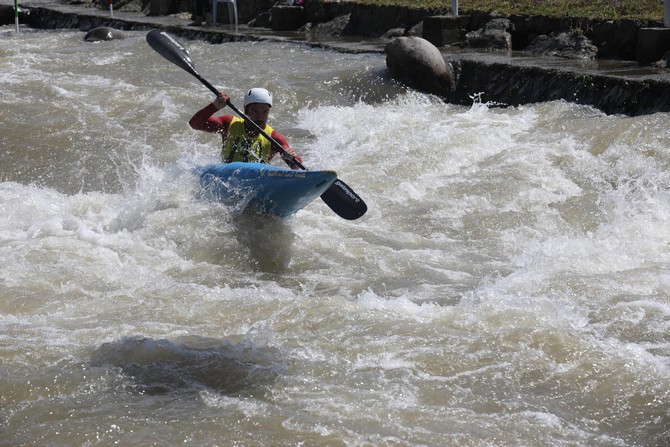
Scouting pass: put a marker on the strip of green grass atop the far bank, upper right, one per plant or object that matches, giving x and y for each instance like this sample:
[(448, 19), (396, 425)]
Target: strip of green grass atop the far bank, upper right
[(594, 9)]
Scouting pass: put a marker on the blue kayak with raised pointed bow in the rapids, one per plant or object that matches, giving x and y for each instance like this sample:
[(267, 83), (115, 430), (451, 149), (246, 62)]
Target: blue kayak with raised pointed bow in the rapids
[(263, 188)]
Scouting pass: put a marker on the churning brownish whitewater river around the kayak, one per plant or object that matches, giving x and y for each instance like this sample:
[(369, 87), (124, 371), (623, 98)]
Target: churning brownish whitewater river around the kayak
[(509, 285)]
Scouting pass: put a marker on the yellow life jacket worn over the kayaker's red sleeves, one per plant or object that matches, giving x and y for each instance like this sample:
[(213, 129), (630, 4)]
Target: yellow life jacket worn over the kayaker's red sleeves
[(239, 146)]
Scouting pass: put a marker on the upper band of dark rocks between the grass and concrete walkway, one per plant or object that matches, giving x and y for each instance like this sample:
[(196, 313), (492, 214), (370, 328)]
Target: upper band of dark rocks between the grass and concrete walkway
[(612, 39)]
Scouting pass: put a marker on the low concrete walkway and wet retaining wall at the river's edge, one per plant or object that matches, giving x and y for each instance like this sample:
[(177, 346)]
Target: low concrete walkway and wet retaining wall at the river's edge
[(506, 79)]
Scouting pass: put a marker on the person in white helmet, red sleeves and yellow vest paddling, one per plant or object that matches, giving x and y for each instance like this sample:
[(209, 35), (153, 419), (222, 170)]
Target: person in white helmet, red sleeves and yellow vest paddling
[(242, 141)]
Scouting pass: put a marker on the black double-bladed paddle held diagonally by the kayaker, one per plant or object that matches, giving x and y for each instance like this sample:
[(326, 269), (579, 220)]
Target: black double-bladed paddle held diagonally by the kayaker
[(339, 196)]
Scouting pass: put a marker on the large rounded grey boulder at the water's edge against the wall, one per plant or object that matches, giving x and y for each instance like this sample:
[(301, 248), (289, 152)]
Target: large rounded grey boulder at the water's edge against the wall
[(418, 63)]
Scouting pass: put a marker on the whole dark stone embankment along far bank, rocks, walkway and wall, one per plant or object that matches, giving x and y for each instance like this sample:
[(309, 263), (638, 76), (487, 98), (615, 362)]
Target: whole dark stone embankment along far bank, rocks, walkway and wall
[(615, 82)]
